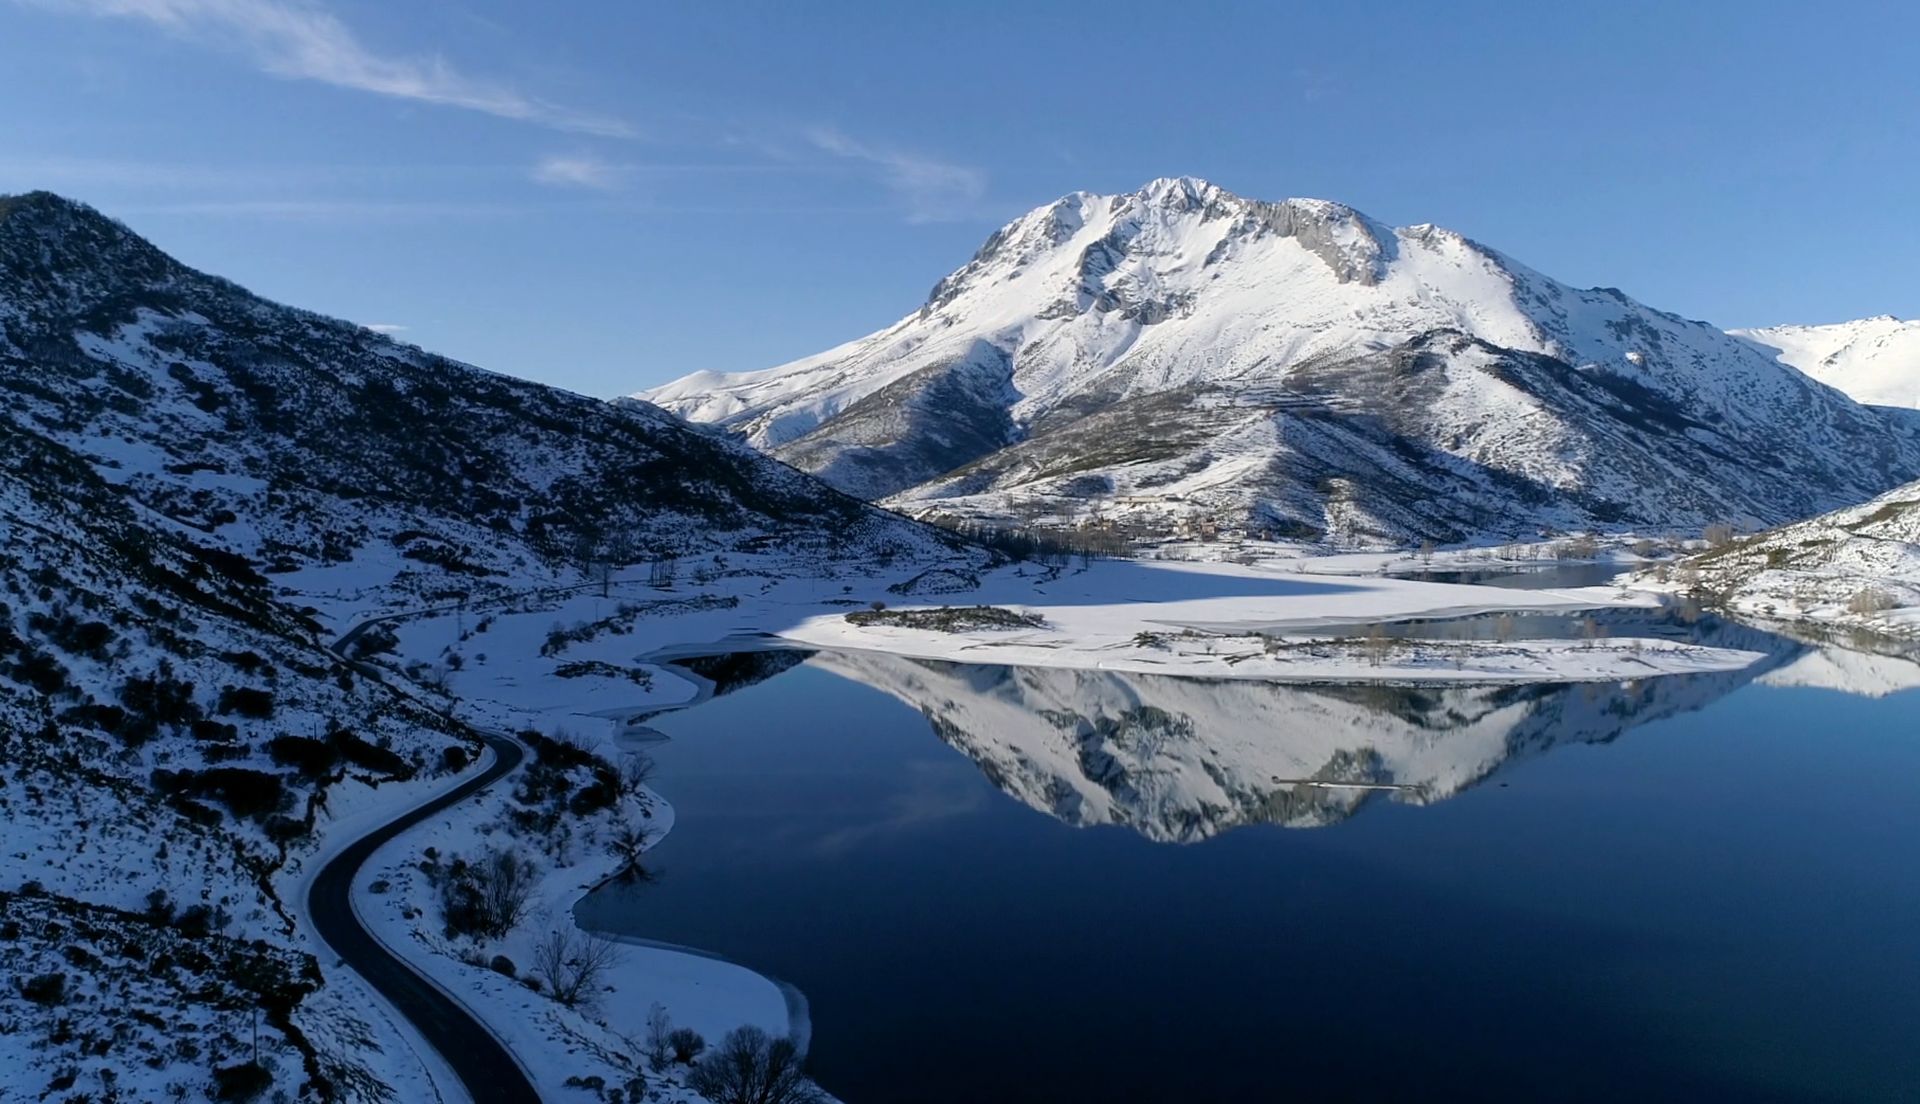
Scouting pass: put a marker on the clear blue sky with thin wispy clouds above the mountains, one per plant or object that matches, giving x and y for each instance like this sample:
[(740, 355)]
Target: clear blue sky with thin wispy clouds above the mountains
[(608, 195)]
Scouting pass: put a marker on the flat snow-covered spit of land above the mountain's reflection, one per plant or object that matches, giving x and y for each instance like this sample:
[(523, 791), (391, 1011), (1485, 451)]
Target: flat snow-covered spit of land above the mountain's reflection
[(1222, 621)]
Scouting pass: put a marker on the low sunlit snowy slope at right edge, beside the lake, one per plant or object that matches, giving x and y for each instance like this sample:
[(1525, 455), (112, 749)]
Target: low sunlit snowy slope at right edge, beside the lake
[(1858, 567)]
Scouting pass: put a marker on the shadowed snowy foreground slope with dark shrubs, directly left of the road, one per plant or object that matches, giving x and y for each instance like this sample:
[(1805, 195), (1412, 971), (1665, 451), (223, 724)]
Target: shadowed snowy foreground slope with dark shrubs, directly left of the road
[(168, 734)]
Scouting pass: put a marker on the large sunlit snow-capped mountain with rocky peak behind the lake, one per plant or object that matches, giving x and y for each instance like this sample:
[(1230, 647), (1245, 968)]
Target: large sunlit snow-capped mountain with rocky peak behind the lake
[(1301, 370)]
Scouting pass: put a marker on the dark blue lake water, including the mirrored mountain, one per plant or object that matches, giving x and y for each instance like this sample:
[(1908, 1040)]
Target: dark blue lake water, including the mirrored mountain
[(1679, 890)]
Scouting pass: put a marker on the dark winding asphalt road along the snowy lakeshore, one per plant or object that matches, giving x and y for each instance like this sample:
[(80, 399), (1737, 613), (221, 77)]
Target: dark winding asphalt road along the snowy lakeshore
[(483, 1065)]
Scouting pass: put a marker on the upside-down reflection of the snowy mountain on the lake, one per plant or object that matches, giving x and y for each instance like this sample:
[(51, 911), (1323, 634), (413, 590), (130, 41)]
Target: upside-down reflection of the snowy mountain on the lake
[(1182, 759)]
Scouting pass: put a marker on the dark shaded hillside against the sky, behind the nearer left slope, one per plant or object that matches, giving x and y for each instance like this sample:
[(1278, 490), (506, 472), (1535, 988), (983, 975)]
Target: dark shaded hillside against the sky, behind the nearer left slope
[(337, 458)]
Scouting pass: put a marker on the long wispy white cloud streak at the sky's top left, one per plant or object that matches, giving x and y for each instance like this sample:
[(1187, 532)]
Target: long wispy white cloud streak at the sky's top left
[(302, 41)]
